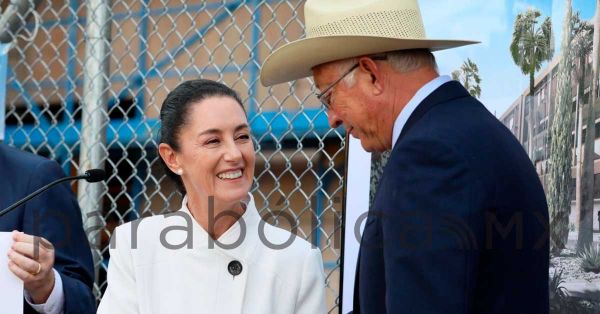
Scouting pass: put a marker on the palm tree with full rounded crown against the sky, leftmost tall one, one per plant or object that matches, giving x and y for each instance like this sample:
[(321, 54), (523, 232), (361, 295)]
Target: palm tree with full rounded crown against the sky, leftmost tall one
[(531, 45)]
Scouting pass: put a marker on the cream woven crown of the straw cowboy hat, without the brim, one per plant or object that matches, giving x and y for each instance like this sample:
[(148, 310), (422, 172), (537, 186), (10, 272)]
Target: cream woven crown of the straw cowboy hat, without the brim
[(384, 18)]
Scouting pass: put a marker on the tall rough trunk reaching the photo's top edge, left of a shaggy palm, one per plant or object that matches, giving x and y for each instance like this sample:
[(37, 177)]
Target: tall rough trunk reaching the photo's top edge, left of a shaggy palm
[(559, 163)]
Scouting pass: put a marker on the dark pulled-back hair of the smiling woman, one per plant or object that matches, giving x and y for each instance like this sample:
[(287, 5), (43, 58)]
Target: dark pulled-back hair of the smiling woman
[(175, 109)]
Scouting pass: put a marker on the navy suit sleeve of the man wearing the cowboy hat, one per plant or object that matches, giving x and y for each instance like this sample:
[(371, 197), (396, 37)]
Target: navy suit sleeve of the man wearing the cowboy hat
[(430, 227)]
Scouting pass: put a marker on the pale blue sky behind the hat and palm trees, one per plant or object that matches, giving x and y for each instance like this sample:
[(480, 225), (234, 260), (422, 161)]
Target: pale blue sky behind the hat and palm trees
[(491, 23)]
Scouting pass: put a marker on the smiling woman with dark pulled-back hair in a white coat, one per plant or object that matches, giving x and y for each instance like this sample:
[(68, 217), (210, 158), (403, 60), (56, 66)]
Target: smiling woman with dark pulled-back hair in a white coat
[(215, 255)]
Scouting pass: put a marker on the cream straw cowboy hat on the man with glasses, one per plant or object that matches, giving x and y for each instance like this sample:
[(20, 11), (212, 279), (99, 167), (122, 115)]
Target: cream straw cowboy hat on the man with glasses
[(339, 29)]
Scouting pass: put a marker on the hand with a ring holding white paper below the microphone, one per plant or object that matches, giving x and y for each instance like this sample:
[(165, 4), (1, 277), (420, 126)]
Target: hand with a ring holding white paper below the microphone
[(32, 260)]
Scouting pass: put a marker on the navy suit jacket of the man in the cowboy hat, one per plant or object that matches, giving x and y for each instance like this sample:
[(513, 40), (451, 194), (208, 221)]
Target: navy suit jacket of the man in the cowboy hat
[(459, 220)]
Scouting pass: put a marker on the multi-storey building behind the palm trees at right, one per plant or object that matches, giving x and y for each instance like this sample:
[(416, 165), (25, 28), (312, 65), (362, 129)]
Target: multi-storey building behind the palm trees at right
[(538, 112)]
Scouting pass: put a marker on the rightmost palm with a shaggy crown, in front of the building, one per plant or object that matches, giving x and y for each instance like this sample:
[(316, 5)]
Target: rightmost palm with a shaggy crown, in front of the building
[(581, 48)]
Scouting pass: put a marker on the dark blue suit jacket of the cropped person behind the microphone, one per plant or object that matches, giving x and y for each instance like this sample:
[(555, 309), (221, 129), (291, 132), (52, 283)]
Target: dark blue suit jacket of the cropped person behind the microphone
[(53, 215)]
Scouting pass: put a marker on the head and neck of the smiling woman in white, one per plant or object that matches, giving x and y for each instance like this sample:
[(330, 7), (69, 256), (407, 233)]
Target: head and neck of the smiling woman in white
[(206, 147)]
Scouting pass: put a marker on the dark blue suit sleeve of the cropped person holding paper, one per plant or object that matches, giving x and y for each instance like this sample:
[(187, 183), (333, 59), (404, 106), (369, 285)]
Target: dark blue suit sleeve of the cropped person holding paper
[(55, 216)]
